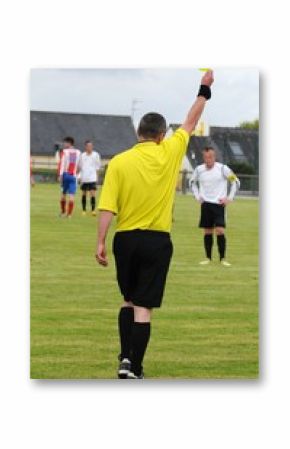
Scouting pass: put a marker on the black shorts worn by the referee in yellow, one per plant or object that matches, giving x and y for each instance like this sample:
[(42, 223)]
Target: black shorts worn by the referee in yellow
[(142, 261)]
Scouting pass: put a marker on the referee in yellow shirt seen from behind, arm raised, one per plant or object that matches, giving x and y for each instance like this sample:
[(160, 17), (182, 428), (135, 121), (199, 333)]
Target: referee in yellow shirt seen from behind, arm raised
[(139, 189)]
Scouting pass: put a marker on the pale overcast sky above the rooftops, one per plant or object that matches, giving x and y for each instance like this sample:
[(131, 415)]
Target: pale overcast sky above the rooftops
[(168, 91)]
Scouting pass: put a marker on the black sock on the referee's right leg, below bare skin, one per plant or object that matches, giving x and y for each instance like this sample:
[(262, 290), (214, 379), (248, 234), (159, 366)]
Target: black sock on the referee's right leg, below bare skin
[(140, 339)]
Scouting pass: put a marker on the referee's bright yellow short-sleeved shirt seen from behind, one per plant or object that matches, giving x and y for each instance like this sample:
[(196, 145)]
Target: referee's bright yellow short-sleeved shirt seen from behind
[(140, 184)]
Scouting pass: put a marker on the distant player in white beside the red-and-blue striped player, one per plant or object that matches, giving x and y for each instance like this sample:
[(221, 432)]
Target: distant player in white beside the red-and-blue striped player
[(90, 164)]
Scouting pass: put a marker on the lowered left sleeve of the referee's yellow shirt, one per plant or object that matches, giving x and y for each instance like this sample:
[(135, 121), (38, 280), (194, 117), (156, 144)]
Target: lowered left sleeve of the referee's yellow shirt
[(109, 194)]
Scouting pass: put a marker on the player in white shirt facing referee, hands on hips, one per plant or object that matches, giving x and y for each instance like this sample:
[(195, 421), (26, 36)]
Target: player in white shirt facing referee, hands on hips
[(210, 187)]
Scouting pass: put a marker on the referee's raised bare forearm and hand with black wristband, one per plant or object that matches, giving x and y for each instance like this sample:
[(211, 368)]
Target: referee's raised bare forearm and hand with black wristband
[(197, 108)]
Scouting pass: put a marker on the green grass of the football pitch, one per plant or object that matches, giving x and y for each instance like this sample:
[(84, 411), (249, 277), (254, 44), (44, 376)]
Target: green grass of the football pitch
[(206, 328)]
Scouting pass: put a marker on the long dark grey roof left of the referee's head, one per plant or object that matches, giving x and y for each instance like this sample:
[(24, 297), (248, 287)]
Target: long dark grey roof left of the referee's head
[(110, 134)]
